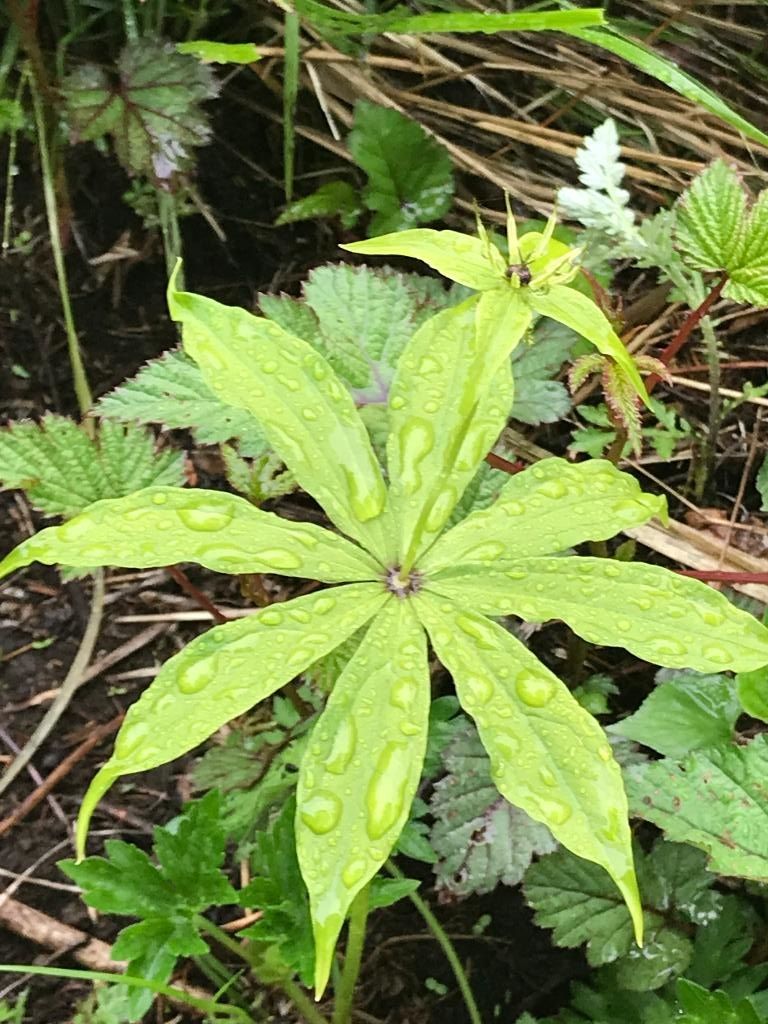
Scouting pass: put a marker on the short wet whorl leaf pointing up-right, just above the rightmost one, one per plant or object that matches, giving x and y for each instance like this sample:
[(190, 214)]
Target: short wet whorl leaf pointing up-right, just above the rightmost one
[(547, 508)]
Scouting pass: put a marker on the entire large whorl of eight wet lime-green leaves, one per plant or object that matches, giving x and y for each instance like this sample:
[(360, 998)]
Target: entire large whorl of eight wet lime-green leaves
[(409, 580)]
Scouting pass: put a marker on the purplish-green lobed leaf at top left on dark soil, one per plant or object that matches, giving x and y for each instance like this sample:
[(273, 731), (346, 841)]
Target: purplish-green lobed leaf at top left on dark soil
[(153, 114)]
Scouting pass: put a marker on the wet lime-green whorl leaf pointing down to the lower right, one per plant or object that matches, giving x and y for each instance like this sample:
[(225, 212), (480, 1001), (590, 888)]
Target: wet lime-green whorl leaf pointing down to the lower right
[(548, 755)]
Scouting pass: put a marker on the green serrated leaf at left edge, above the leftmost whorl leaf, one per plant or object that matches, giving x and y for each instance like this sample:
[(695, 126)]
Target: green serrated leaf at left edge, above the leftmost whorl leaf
[(63, 471)]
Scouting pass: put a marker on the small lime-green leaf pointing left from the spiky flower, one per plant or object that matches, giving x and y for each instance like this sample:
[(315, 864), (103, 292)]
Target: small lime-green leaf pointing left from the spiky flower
[(460, 258)]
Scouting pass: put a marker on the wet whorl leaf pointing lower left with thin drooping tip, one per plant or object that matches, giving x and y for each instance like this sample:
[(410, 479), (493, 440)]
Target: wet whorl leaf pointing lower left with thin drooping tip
[(224, 673)]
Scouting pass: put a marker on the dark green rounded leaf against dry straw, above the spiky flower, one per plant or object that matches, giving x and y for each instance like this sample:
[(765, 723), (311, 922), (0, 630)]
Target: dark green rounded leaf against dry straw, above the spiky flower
[(410, 176)]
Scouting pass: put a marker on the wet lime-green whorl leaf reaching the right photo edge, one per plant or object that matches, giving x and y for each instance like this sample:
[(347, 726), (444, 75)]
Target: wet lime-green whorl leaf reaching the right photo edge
[(663, 618)]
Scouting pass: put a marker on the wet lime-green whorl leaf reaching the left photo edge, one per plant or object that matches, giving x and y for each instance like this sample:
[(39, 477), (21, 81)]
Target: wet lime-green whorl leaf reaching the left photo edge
[(225, 533)]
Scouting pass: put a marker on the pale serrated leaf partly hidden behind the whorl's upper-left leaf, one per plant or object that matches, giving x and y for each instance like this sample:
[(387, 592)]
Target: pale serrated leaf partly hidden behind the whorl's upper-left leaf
[(172, 392)]
